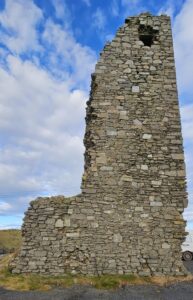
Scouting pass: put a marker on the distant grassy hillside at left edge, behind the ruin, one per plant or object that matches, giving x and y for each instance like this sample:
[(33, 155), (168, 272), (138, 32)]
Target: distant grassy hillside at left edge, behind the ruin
[(10, 239)]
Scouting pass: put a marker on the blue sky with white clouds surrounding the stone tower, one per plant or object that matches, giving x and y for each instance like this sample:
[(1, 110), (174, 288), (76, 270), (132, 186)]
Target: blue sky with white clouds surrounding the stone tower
[(48, 49)]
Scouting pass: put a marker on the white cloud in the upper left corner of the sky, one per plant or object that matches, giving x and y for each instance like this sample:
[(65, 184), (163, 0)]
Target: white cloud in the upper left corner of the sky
[(20, 18)]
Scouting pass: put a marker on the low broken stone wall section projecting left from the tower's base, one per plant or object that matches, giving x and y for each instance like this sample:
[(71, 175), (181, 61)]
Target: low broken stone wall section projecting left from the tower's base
[(52, 237)]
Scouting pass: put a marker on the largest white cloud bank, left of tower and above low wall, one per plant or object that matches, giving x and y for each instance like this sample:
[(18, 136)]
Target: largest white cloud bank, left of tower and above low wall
[(43, 123)]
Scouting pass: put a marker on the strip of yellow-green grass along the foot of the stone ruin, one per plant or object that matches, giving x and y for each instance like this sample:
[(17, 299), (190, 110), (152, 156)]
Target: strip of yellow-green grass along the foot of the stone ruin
[(26, 282)]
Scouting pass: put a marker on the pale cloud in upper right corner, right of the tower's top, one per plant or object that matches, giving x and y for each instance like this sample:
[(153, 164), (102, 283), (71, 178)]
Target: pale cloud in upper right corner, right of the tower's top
[(183, 42)]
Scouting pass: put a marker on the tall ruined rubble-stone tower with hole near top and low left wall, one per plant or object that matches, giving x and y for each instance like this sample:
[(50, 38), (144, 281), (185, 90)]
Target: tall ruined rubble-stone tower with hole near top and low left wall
[(128, 218)]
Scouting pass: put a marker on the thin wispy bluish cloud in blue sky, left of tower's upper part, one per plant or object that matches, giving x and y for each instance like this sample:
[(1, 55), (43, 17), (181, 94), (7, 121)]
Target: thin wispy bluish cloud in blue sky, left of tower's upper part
[(68, 54)]
